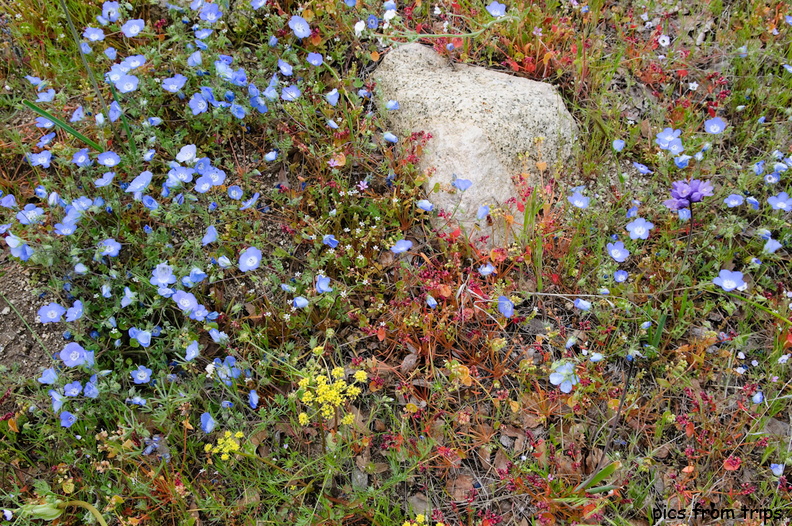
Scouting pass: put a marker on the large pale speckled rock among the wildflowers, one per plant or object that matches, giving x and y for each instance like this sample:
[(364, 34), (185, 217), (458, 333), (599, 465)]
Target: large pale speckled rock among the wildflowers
[(486, 127)]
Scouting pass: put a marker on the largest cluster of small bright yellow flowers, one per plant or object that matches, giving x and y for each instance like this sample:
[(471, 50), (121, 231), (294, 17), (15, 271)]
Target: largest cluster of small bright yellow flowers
[(327, 395)]
